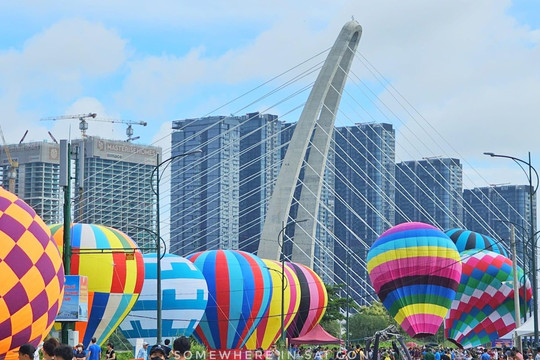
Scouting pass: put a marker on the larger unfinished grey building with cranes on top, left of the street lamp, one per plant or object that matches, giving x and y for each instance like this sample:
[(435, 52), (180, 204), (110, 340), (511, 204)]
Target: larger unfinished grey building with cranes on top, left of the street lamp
[(113, 186)]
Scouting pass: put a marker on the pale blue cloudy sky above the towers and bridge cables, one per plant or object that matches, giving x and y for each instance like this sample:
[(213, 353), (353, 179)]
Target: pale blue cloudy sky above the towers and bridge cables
[(471, 69)]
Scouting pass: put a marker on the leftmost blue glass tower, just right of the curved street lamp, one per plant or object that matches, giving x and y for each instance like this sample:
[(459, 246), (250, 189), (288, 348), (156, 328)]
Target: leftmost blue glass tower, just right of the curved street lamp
[(205, 187)]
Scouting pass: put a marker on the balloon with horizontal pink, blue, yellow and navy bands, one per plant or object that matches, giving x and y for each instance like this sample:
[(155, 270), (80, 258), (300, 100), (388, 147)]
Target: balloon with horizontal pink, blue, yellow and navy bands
[(415, 270)]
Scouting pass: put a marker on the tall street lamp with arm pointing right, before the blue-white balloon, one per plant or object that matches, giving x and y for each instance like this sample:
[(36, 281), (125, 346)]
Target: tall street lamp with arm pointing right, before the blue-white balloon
[(158, 233)]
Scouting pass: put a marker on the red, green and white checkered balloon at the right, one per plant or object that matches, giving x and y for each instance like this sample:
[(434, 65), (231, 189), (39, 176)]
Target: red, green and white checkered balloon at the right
[(483, 309)]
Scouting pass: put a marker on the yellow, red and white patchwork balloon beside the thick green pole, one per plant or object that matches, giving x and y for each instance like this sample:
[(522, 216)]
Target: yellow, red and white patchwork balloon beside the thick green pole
[(115, 276)]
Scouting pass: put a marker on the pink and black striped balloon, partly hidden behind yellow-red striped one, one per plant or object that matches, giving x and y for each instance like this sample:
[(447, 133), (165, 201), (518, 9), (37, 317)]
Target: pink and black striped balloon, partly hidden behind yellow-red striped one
[(313, 301)]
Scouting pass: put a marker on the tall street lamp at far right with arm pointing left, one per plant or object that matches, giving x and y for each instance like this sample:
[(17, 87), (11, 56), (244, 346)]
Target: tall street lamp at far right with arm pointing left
[(532, 192)]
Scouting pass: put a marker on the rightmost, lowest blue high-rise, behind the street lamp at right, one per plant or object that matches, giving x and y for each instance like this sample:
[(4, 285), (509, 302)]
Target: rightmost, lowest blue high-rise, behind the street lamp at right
[(490, 210)]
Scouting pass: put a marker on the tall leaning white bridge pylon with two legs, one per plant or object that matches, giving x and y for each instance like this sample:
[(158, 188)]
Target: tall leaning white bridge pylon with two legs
[(316, 123)]
